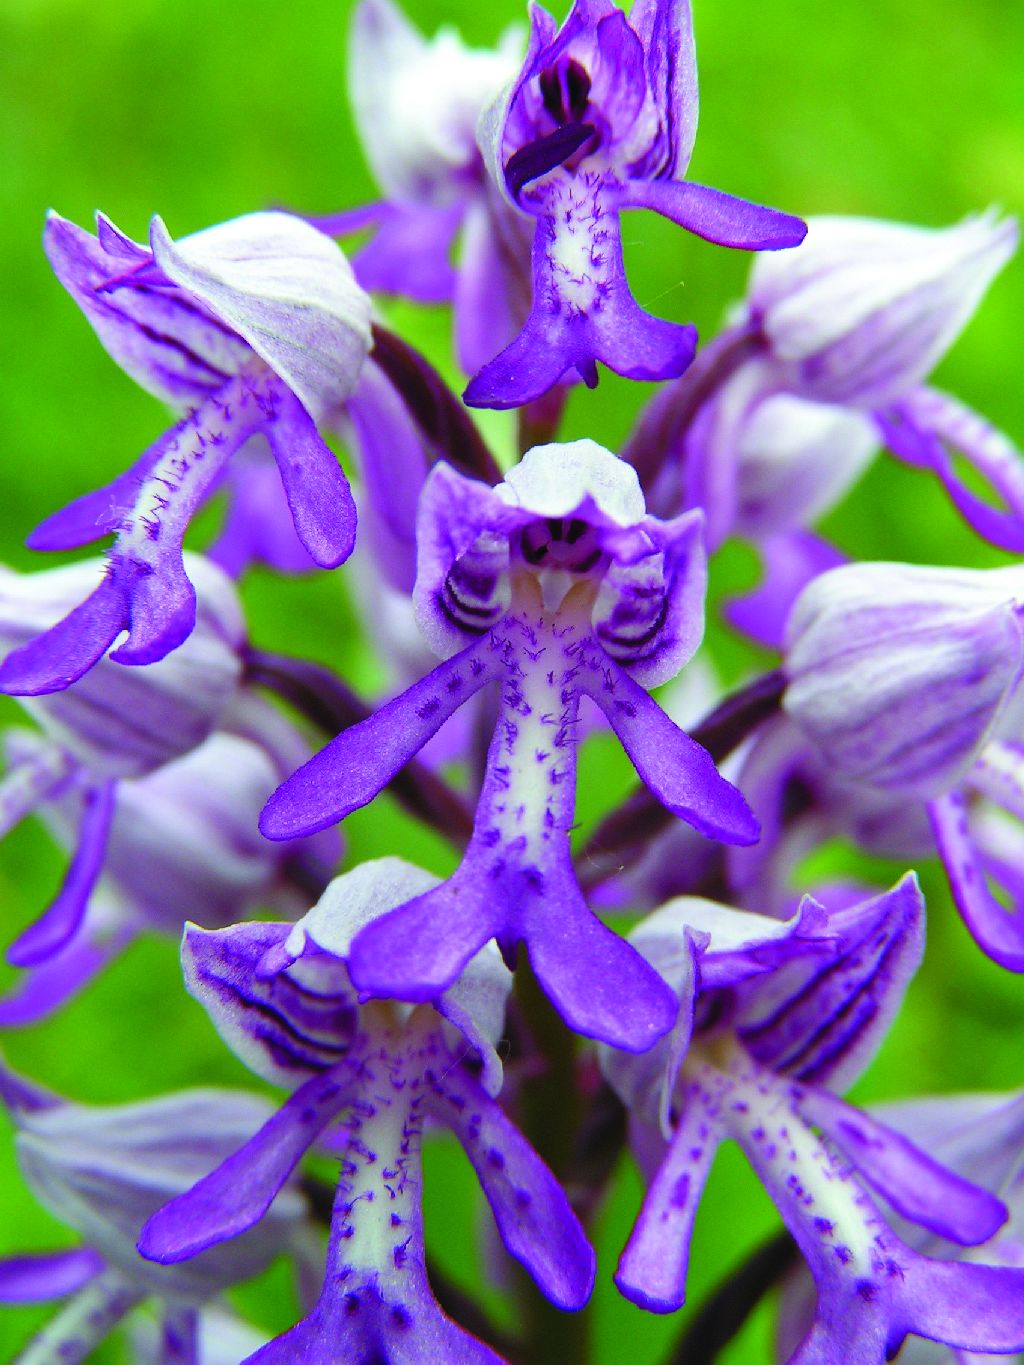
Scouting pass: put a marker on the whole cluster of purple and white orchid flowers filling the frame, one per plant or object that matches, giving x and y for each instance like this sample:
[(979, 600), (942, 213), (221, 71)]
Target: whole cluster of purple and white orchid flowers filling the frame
[(521, 603)]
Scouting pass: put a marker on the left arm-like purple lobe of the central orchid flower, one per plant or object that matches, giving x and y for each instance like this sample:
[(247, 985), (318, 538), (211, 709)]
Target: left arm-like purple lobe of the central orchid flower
[(354, 768)]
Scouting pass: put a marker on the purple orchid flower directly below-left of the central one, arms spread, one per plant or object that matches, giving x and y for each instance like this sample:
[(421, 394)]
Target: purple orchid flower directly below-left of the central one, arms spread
[(281, 997)]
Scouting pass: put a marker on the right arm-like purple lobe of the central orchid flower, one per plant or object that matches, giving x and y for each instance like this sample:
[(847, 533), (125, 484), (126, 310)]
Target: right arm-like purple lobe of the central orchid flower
[(677, 769)]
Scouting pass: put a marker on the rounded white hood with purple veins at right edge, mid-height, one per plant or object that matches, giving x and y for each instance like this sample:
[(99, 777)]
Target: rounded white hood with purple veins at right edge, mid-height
[(902, 674)]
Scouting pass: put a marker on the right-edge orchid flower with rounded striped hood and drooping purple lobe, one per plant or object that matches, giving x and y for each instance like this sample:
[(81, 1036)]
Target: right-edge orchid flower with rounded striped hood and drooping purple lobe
[(907, 682)]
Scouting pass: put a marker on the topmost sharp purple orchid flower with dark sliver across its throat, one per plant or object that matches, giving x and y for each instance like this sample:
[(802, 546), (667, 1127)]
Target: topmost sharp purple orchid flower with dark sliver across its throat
[(603, 118)]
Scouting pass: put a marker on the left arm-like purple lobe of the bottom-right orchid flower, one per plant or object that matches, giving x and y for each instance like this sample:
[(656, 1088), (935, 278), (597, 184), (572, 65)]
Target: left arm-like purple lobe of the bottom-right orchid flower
[(653, 1267)]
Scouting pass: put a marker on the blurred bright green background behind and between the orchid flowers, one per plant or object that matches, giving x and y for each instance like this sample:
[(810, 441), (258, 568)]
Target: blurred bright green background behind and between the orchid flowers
[(199, 111)]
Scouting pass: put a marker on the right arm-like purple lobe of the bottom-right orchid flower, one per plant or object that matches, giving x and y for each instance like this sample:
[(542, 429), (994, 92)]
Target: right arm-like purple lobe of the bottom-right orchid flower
[(911, 1181)]
